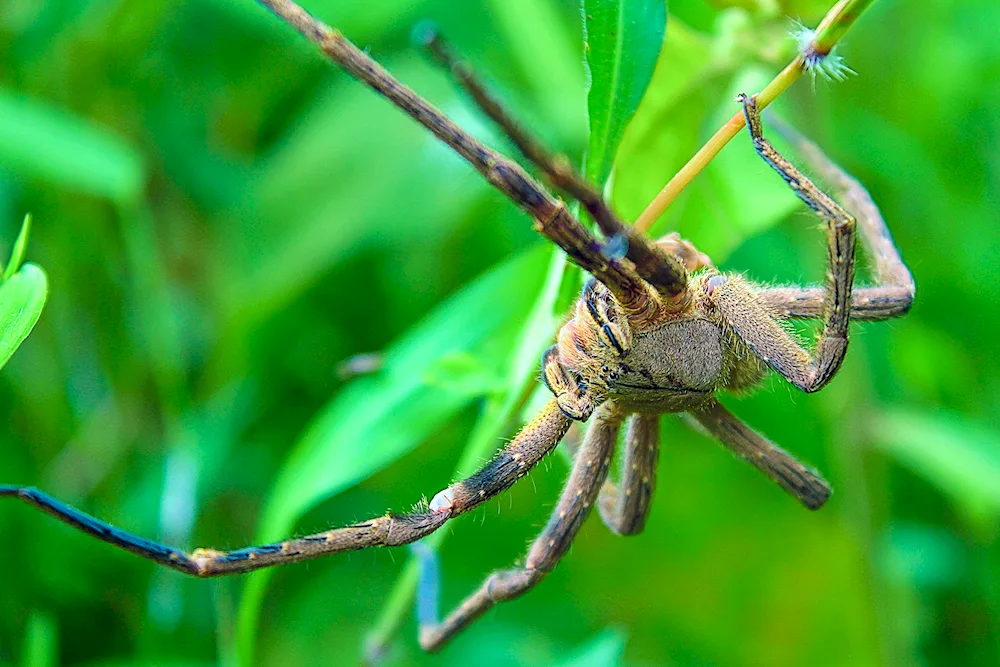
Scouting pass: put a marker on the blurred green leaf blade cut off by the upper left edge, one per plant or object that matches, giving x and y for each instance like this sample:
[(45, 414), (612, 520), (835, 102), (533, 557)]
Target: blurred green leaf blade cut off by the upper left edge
[(44, 142)]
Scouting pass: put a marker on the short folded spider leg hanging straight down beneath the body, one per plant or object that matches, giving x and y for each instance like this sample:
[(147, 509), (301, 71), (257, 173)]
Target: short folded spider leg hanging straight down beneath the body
[(624, 507)]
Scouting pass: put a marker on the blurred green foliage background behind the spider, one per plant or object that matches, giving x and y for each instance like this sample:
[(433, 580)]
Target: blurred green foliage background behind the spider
[(225, 218)]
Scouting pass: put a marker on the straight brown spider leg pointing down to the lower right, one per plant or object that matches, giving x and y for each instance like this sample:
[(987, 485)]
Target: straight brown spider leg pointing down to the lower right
[(792, 475)]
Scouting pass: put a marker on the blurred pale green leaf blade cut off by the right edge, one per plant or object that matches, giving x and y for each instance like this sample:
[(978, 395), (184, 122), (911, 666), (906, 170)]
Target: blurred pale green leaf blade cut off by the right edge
[(960, 458)]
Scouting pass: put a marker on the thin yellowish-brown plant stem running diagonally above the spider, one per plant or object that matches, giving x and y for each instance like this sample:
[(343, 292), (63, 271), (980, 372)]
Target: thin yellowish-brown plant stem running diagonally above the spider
[(831, 29)]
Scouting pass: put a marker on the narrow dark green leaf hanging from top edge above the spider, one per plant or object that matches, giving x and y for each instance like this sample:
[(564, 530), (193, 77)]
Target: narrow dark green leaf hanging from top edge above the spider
[(622, 41)]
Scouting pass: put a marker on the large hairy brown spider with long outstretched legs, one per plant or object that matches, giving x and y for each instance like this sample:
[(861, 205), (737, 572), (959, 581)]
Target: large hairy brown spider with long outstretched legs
[(657, 330)]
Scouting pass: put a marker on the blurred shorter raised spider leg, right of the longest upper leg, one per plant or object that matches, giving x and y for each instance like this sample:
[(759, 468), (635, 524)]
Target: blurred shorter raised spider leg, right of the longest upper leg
[(660, 269)]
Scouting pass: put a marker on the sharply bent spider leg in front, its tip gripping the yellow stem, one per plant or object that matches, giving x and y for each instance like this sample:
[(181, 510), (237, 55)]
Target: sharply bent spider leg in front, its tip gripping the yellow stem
[(750, 318)]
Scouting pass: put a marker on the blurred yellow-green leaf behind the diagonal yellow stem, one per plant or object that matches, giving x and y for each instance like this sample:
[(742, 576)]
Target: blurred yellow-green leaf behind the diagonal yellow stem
[(737, 196)]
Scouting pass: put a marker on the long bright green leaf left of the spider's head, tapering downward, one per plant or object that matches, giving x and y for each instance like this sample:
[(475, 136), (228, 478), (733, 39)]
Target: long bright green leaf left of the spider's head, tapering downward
[(377, 419)]
